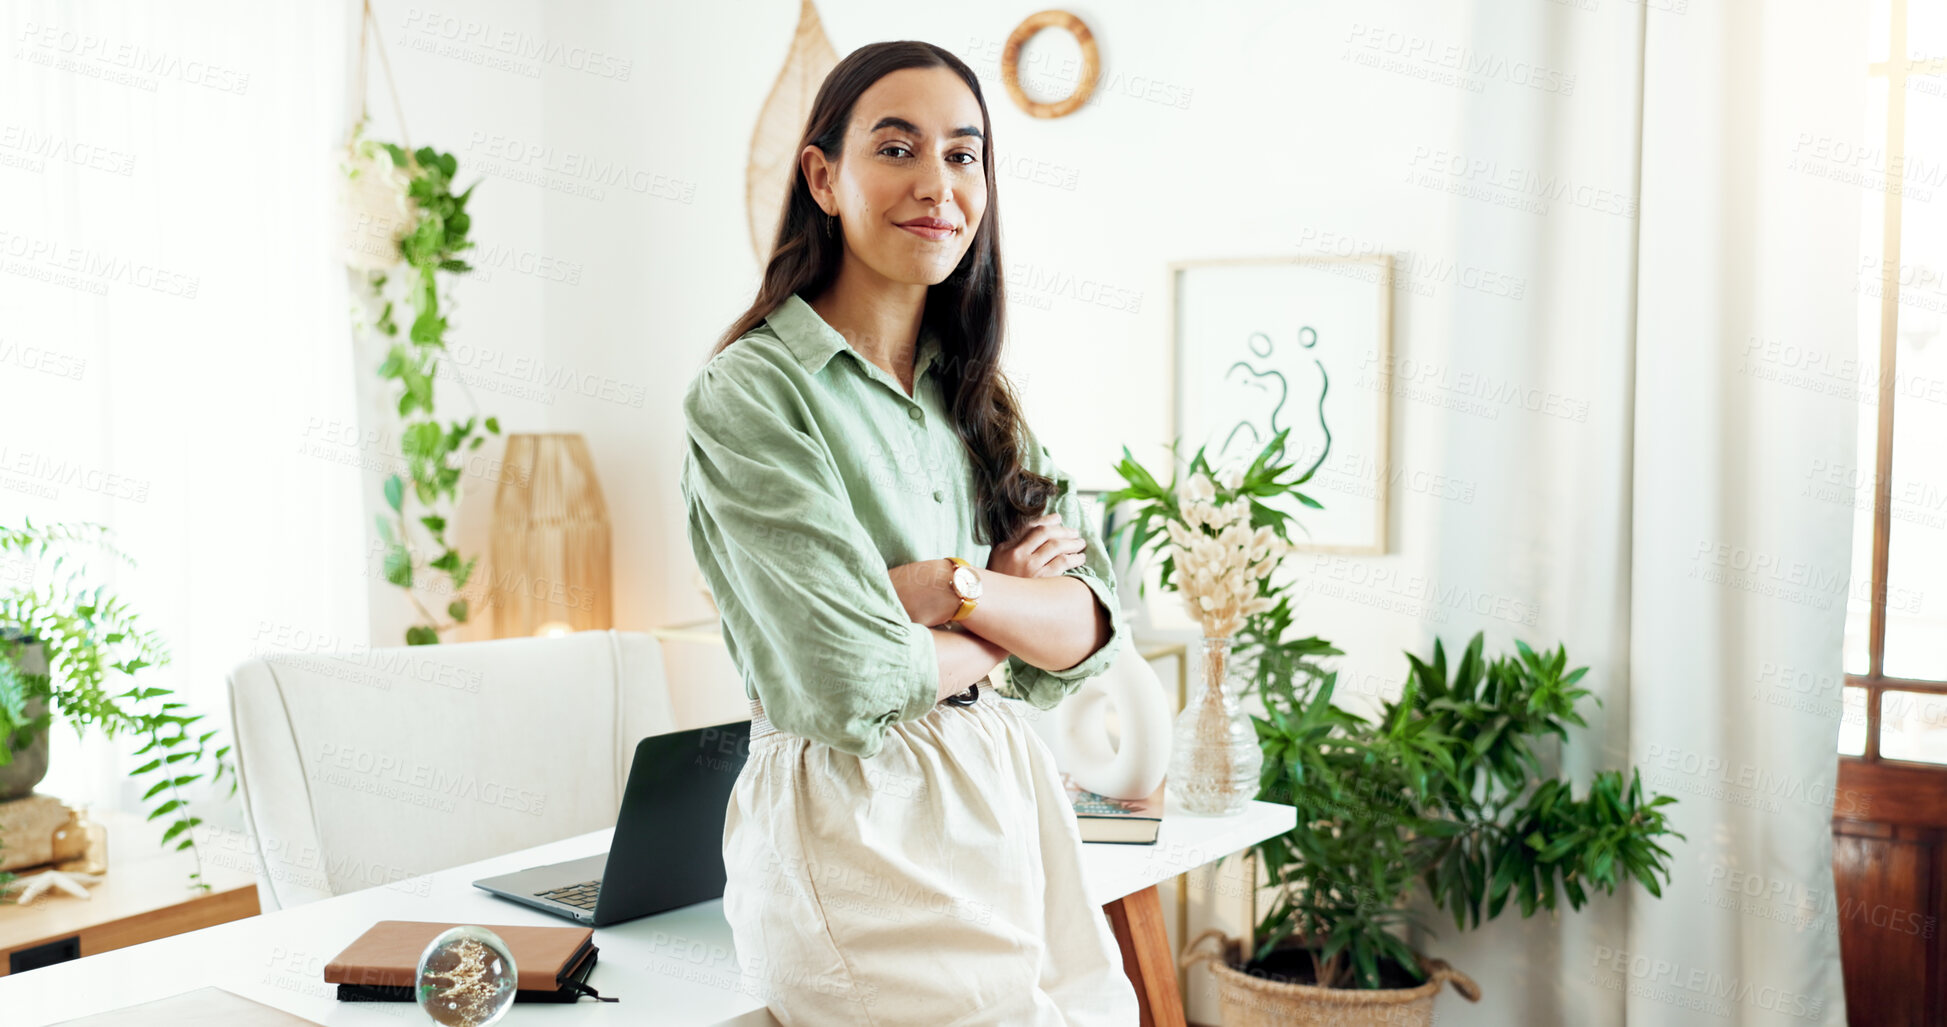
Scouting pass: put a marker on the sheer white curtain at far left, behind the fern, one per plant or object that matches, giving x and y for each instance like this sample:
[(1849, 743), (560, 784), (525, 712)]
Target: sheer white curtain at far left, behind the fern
[(174, 330)]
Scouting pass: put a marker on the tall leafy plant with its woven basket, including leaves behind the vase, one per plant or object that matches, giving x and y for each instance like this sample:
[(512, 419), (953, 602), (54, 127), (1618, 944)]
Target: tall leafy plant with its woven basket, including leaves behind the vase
[(1446, 790)]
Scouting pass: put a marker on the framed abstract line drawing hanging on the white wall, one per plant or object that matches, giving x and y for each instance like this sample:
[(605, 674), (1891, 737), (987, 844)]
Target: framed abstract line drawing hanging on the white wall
[(1298, 346)]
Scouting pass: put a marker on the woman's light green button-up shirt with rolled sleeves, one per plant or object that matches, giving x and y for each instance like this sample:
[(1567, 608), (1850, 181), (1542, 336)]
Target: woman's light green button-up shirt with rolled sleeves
[(809, 475)]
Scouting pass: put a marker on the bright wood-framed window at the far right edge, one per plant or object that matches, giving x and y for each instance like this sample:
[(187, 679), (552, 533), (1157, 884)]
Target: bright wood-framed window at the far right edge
[(1895, 695)]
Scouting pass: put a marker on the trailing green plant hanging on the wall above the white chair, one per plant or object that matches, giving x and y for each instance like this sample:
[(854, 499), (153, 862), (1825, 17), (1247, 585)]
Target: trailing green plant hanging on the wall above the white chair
[(433, 449)]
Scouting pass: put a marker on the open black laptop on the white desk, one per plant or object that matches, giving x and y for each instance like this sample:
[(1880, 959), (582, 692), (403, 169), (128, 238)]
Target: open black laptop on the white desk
[(669, 837)]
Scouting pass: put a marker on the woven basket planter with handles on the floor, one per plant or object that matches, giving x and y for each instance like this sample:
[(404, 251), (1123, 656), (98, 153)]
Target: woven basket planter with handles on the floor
[(1263, 1003)]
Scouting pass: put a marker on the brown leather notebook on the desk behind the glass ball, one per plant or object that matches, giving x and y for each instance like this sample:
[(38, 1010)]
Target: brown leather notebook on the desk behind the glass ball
[(383, 966)]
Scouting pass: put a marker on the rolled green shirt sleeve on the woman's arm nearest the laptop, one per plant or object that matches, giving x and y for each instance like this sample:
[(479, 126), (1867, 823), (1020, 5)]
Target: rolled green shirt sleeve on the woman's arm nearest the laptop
[(809, 613)]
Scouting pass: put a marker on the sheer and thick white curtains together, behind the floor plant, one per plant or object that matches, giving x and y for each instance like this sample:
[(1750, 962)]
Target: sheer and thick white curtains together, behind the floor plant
[(1648, 502)]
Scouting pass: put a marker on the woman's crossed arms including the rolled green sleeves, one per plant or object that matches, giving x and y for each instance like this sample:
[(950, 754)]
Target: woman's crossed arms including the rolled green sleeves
[(836, 652)]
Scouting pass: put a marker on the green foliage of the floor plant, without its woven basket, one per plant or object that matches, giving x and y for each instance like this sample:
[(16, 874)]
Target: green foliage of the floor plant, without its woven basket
[(1444, 790)]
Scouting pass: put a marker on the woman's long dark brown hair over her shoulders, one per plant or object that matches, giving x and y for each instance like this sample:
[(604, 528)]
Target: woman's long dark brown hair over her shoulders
[(969, 311)]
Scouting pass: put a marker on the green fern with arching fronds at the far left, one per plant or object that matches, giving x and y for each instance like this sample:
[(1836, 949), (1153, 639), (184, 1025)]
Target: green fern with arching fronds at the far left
[(94, 646)]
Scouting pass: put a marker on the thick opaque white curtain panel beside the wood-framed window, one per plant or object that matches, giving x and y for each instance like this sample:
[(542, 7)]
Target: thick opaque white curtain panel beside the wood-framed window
[(1745, 256)]
